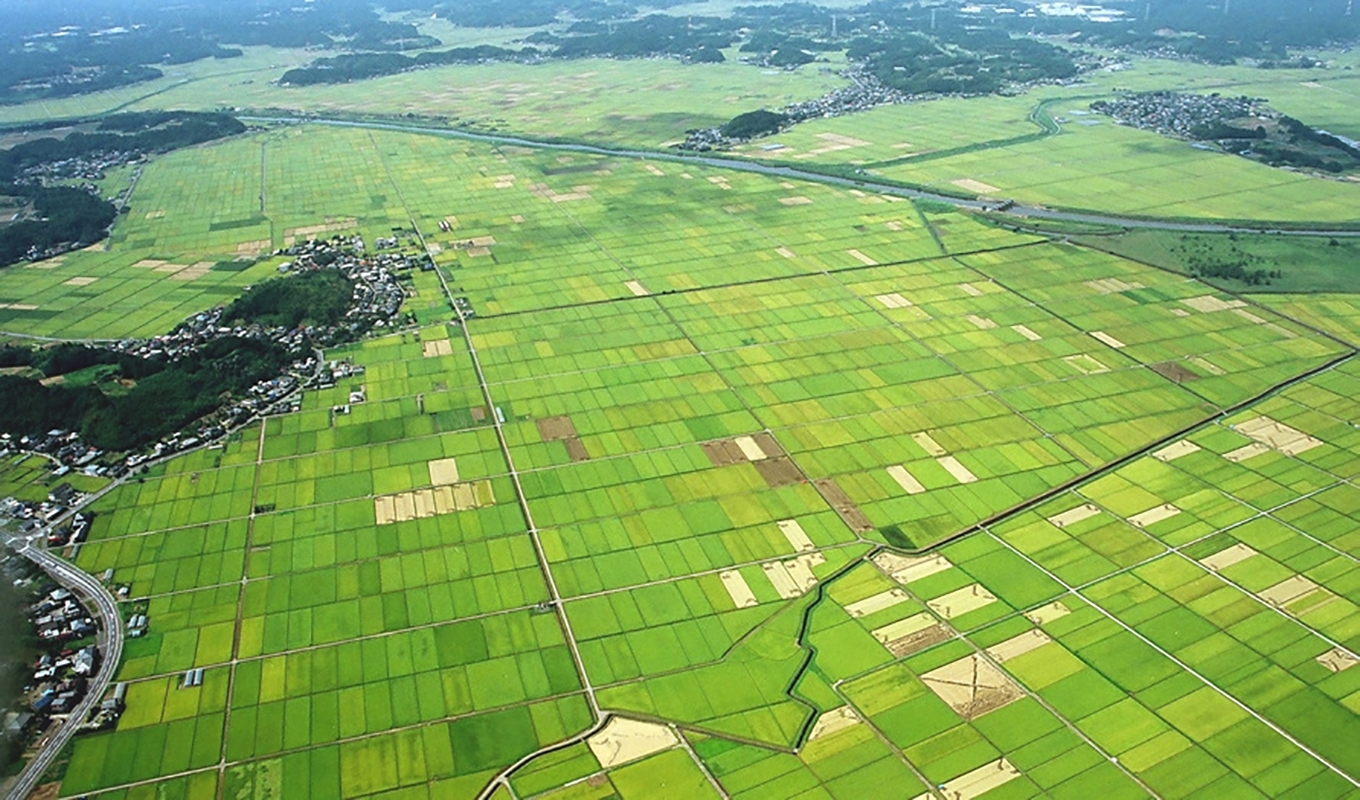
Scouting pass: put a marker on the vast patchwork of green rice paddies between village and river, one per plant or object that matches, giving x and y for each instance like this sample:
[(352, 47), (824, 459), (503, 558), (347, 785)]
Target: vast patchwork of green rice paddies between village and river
[(678, 512)]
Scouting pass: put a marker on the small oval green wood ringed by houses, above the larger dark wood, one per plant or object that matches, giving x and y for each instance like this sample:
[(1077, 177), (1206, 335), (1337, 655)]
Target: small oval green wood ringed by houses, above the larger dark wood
[(318, 297)]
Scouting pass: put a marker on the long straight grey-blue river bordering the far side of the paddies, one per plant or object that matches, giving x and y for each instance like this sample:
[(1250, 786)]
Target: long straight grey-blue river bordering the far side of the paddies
[(1019, 213)]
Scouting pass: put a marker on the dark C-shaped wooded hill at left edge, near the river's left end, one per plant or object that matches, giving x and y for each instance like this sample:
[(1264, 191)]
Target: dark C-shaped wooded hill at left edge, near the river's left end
[(63, 216)]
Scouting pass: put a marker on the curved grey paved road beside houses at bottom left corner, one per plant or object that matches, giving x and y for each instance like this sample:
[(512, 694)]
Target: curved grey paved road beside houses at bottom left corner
[(111, 637)]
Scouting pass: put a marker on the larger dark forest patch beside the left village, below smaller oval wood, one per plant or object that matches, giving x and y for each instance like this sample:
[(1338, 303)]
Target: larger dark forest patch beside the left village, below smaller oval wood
[(165, 399)]
